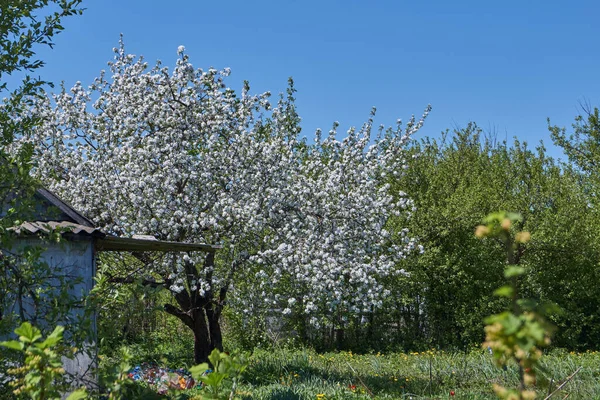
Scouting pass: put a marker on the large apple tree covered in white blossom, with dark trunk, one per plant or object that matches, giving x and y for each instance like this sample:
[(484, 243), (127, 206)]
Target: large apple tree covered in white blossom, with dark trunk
[(179, 155)]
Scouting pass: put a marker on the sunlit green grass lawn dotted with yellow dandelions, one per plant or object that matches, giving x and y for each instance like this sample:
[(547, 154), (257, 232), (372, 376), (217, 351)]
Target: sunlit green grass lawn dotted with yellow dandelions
[(305, 374)]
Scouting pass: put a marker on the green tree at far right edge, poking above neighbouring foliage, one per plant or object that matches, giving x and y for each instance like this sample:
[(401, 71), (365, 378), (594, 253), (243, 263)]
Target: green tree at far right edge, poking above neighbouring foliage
[(582, 147)]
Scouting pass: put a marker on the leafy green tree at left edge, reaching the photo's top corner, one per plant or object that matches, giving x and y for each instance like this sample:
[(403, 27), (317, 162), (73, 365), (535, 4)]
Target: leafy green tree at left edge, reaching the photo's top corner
[(24, 26)]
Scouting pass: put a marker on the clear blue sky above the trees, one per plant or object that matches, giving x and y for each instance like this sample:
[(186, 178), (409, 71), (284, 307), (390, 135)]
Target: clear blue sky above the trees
[(506, 65)]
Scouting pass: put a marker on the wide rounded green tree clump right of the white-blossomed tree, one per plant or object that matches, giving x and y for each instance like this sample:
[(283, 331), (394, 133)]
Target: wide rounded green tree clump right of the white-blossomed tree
[(455, 182)]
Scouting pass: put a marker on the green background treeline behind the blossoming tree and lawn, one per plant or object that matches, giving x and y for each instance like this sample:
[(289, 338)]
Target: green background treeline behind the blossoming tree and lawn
[(454, 181)]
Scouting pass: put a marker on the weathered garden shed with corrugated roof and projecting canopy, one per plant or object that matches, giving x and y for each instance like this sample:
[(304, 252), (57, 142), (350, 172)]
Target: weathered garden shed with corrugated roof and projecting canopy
[(75, 254)]
